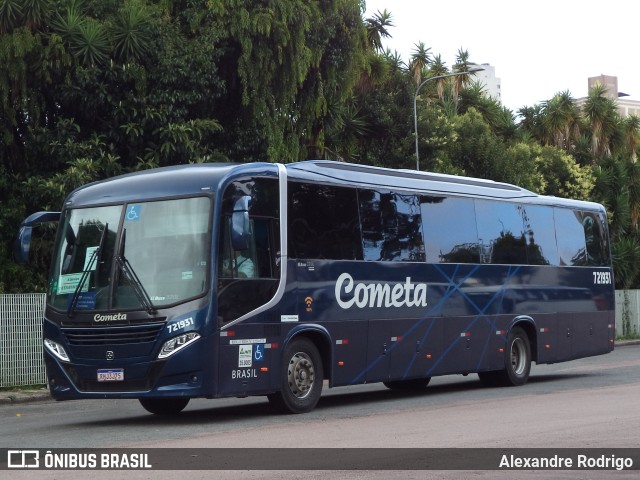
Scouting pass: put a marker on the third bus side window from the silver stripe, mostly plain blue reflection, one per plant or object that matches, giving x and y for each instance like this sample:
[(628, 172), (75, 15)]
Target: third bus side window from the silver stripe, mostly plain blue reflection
[(450, 230)]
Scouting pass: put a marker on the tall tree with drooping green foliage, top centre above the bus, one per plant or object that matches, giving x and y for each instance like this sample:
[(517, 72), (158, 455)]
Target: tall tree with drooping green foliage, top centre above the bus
[(285, 59)]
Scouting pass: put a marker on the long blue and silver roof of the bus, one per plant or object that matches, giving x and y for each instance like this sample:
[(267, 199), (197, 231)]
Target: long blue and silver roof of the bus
[(194, 178)]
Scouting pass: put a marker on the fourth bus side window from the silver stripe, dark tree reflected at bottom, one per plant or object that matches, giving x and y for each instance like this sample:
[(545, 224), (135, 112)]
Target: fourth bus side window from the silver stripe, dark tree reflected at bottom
[(501, 232)]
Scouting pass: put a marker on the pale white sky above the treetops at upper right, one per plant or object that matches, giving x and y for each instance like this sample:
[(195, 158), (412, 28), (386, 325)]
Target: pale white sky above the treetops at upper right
[(538, 48)]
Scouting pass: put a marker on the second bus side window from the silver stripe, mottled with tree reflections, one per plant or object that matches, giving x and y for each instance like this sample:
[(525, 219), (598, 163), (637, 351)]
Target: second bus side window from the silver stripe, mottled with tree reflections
[(391, 226)]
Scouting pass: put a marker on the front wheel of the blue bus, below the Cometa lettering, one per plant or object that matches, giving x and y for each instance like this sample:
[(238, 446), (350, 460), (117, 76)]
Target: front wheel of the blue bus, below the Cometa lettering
[(301, 378)]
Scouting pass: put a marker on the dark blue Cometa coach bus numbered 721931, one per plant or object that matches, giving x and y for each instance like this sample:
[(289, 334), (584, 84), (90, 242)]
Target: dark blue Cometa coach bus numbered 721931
[(225, 280)]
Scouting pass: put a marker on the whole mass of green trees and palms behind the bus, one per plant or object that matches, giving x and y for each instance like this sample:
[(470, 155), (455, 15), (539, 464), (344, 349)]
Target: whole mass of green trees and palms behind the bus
[(93, 88)]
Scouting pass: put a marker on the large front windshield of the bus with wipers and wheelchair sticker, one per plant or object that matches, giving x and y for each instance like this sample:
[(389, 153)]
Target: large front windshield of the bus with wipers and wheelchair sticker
[(132, 256)]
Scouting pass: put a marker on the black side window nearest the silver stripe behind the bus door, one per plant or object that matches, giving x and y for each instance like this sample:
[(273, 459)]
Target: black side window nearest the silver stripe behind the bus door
[(323, 222)]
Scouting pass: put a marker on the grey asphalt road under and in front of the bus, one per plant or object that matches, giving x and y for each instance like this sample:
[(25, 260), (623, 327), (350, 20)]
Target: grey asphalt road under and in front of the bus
[(592, 403)]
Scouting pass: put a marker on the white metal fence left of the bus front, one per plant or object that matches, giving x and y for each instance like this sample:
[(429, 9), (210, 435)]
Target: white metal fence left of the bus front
[(21, 360)]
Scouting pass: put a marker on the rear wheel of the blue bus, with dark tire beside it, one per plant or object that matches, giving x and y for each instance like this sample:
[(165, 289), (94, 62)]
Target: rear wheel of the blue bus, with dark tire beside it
[(517, 362)]
